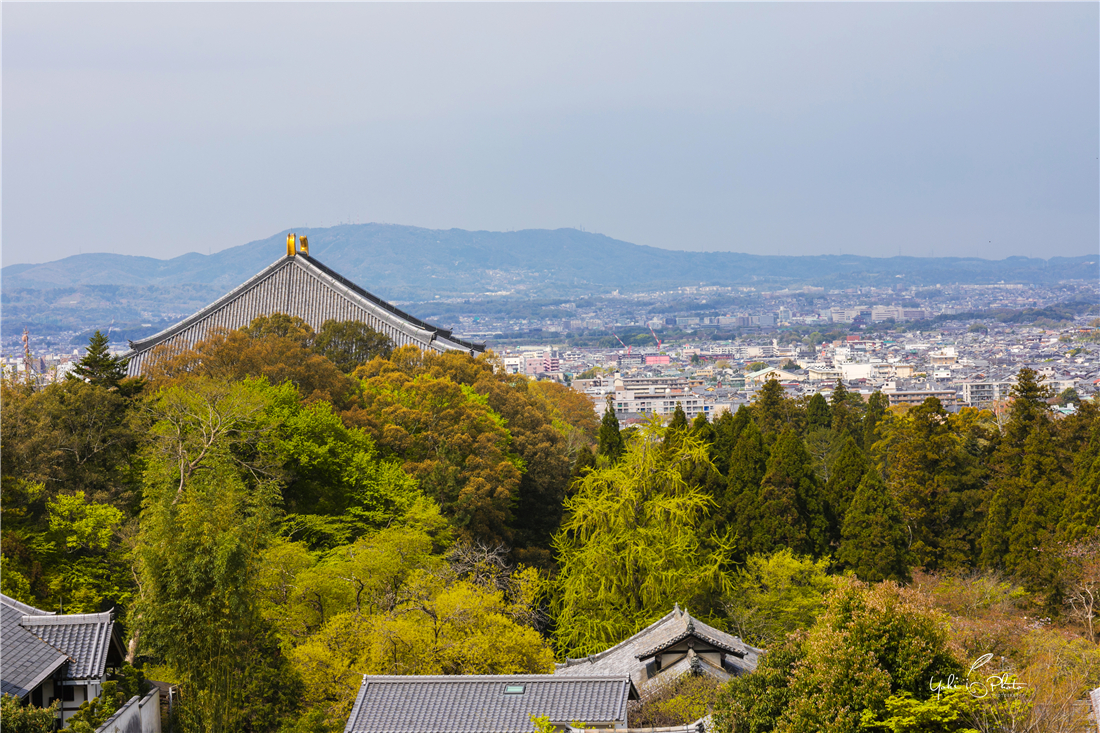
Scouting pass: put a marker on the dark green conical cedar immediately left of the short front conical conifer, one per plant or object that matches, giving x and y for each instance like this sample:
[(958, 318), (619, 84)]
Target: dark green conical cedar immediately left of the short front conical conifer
[(789, 511)]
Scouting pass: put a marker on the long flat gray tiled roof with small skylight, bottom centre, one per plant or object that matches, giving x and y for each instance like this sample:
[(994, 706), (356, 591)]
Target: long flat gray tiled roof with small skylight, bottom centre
[(476, 704)]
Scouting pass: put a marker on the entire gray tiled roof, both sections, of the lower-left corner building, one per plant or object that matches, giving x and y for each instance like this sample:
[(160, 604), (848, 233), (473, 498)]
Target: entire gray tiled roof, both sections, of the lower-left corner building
[(37, 643)]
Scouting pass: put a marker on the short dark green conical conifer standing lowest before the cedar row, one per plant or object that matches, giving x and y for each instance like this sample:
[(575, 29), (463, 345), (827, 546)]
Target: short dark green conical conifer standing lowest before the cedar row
[(874, 537)]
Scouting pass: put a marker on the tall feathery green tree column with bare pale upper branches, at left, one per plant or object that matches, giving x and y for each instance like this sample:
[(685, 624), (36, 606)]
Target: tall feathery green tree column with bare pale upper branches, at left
[(212, 497)]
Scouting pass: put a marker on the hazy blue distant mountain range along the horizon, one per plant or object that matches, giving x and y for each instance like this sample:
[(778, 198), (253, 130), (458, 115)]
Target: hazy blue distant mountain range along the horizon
[(411, 264)]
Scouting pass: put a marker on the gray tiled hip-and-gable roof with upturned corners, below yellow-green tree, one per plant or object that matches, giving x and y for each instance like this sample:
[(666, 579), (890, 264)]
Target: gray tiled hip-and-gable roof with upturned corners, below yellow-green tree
[(628, 658)]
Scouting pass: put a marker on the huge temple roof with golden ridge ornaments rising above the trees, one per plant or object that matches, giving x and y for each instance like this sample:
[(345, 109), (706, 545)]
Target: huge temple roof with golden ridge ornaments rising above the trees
[(300, 286)]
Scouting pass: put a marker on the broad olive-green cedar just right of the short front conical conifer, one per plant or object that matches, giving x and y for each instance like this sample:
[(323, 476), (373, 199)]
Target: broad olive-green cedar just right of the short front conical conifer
[(938, 487)]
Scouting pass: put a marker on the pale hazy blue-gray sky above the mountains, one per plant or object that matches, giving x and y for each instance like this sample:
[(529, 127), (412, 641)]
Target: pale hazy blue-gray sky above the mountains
[(795, 129)]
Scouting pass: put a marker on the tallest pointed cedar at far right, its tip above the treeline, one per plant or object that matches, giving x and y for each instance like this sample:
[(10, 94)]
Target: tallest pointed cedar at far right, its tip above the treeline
[(1028, 485)]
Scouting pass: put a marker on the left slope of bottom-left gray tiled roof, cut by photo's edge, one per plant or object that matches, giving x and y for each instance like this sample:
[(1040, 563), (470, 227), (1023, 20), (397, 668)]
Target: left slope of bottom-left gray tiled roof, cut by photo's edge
[(26, 660)]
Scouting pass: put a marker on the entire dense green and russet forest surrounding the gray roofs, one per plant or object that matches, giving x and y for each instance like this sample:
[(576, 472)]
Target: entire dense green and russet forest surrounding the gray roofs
[(279, 511)]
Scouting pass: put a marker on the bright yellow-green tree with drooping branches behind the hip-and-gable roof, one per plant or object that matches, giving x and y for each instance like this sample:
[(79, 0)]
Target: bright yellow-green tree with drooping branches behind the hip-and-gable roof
[(631, 548)]
